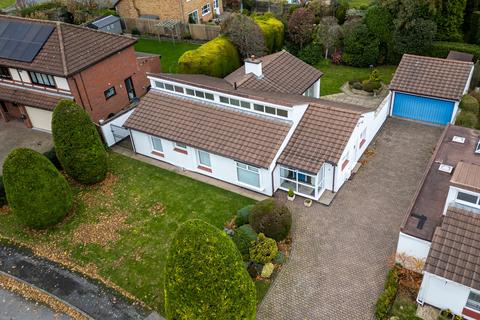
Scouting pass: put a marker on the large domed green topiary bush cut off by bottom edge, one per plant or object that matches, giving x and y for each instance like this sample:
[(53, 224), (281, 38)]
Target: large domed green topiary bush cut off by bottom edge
[(205, 277)]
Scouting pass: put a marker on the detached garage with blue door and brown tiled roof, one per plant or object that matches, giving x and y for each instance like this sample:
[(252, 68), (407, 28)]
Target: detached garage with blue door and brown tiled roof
[(429, 89)]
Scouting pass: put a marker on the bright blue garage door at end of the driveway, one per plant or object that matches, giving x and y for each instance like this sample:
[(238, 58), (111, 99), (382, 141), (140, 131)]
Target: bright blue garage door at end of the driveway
[(422, 109)]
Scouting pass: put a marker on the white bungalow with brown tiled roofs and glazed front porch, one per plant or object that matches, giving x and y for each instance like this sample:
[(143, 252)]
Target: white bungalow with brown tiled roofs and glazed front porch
[(261, 128)]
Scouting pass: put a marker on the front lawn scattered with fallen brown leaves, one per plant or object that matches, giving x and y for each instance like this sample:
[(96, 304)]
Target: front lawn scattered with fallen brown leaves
[(146, 204)]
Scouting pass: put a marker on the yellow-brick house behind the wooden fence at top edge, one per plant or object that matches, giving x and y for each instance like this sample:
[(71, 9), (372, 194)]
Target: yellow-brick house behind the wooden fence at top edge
[(193, 11)]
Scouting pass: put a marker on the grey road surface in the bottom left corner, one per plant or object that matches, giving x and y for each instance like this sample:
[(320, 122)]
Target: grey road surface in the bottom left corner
[(15, 307)]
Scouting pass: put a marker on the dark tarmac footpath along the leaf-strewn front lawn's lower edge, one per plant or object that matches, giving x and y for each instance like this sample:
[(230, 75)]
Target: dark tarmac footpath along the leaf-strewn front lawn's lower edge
[(87, 295)]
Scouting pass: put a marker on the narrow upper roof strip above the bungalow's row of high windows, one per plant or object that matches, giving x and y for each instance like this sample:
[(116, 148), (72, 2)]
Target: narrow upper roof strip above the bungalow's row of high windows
[(221, 85)]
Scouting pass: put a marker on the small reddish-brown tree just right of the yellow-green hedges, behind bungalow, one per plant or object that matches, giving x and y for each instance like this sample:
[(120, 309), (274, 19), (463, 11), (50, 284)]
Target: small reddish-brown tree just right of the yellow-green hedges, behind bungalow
[(300, 26)]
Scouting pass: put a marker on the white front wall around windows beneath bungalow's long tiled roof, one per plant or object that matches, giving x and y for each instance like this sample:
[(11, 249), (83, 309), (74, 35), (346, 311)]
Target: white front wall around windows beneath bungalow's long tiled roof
[(224, 169)]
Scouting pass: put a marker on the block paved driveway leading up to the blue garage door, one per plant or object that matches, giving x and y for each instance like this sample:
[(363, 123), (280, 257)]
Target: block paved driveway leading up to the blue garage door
[(340, 253)]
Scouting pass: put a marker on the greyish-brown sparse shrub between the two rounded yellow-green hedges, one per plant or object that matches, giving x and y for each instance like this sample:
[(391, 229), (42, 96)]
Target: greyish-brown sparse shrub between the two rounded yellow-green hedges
[(245, 34)]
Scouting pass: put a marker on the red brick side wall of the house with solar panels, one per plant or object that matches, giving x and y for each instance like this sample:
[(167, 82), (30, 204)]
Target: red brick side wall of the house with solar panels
[(89, 85)]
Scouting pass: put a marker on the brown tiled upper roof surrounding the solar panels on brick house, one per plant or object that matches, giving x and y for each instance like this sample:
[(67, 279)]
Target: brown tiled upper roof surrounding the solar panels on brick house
[(69, 48)]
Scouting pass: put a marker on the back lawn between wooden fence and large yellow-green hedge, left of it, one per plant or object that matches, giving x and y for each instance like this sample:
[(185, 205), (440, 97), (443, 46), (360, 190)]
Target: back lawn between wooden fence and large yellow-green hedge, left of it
[(169, 51)]
